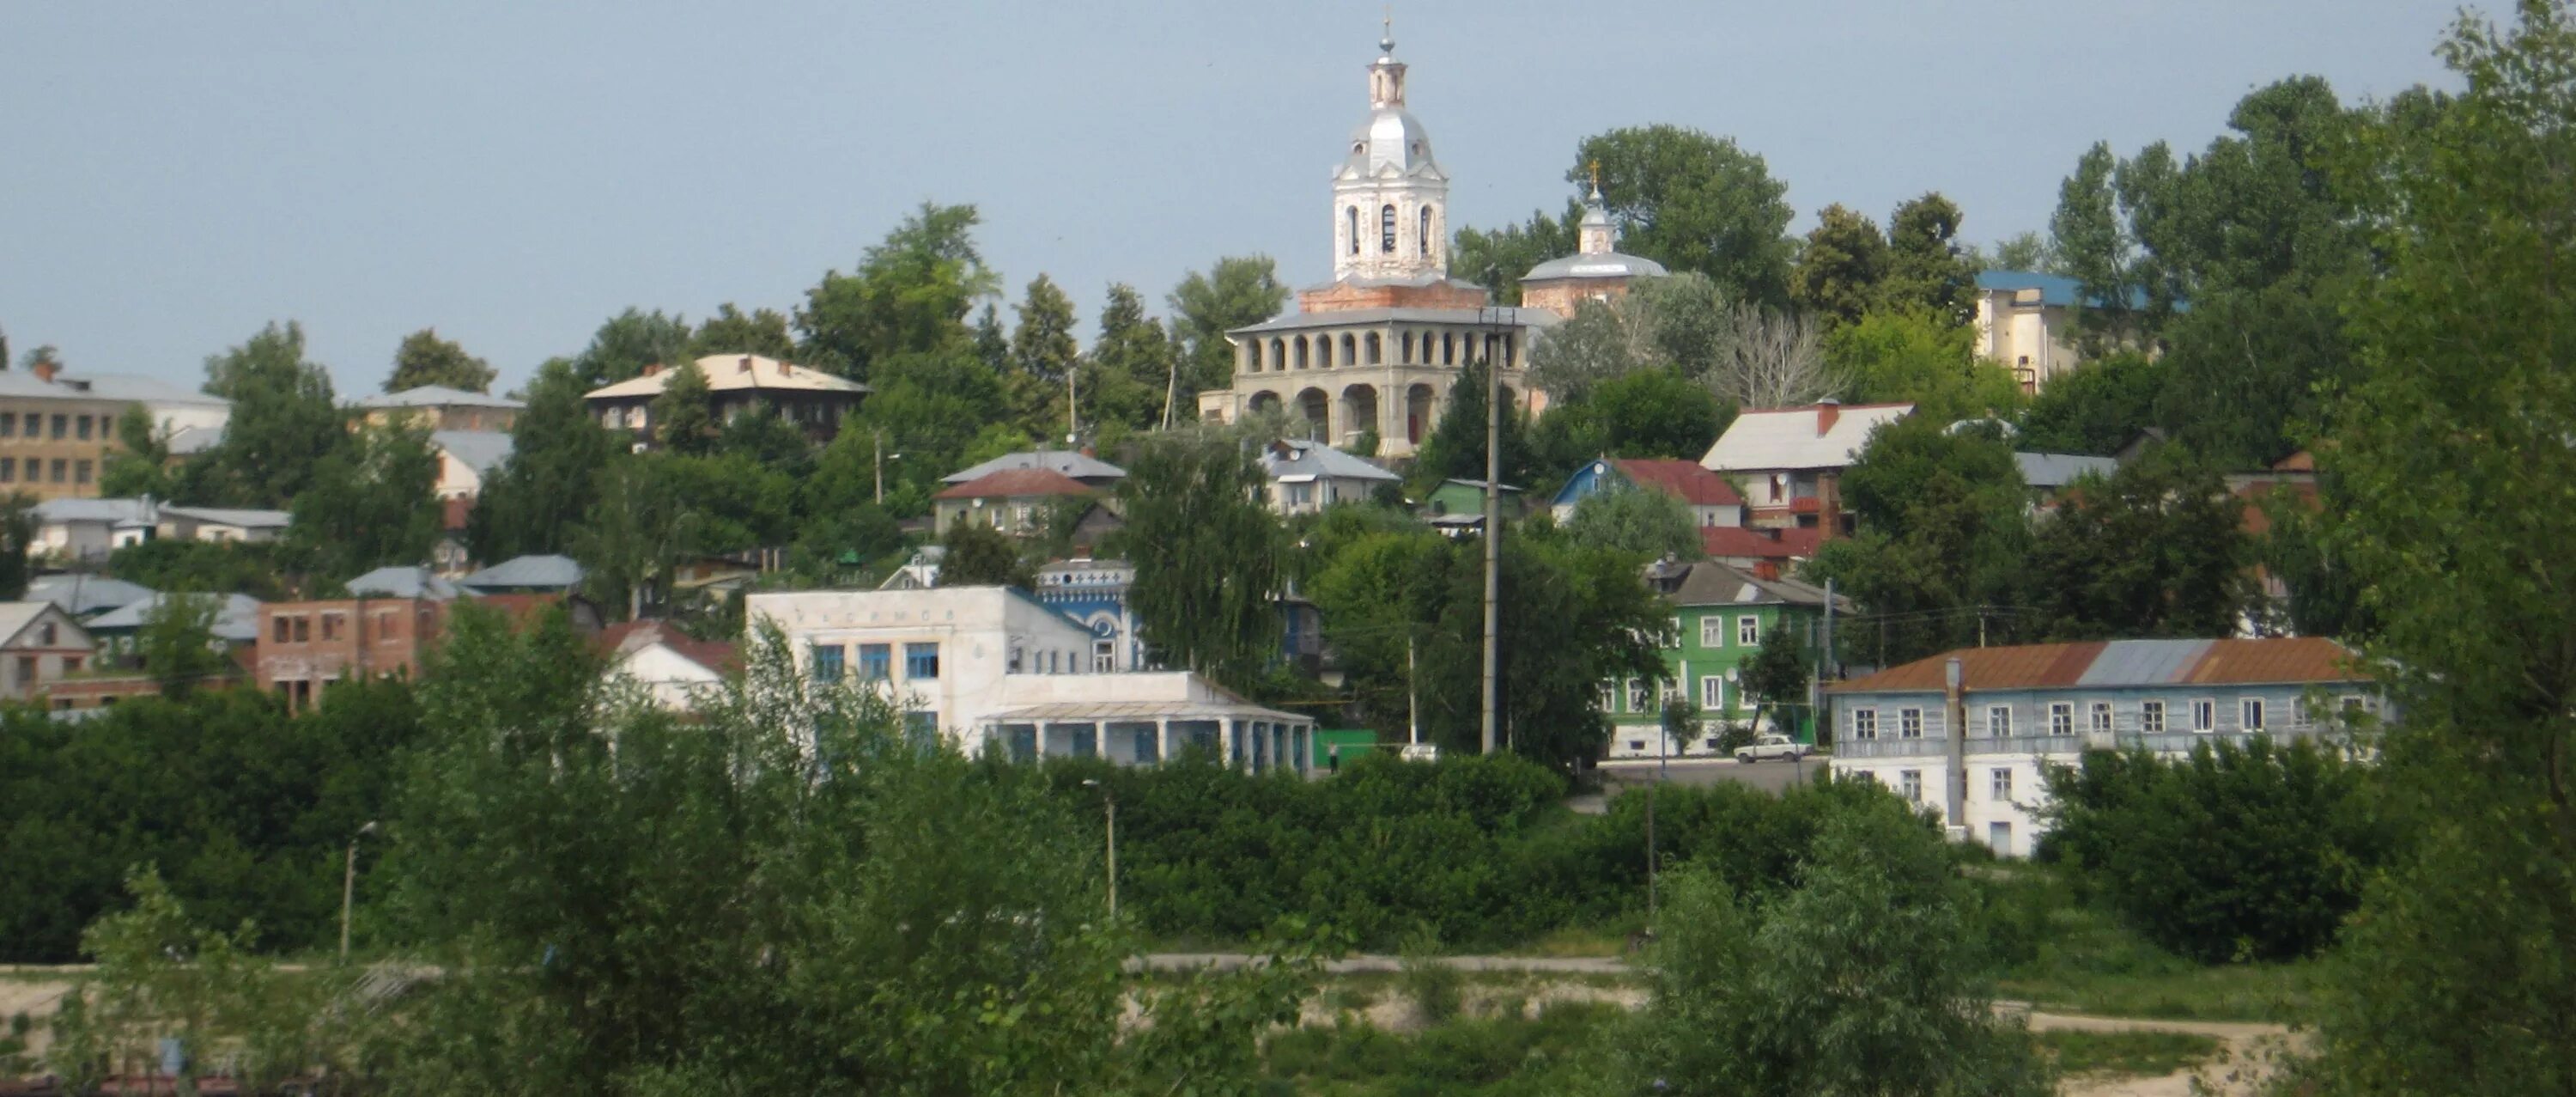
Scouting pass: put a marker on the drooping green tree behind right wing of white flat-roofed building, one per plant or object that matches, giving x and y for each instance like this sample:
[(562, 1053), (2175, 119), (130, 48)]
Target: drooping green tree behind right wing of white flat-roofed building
[(1207, 555)]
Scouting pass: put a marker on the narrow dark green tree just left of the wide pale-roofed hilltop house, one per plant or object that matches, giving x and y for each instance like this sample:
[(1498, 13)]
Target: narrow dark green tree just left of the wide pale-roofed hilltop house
[(558, 455)]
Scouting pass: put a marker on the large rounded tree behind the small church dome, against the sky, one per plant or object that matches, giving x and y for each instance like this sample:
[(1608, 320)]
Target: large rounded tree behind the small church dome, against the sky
[(1694, 202)]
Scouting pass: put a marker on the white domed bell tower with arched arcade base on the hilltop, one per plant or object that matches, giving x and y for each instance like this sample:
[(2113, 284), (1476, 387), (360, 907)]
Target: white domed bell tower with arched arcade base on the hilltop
[(1379, 349)]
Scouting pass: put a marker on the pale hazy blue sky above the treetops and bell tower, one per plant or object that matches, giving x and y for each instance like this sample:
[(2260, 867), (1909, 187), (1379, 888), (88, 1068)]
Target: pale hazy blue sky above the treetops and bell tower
[(511, 174)]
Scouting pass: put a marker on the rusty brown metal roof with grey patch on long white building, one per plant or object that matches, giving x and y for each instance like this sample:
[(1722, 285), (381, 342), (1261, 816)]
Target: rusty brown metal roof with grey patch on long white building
[(2124, 666)]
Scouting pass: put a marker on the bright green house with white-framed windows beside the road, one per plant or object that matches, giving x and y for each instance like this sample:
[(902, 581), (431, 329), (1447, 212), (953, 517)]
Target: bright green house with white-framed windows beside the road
[(1719, 619)]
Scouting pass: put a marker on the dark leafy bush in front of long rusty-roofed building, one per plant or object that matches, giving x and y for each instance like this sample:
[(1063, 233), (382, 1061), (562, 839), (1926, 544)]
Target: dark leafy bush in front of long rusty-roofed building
[(2235, 854)]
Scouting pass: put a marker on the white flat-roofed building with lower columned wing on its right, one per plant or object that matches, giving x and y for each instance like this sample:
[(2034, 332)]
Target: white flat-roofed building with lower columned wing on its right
[(993, 668)]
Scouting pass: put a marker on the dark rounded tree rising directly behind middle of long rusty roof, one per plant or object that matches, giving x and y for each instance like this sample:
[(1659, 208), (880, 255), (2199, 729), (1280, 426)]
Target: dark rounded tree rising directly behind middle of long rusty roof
[(2155, 550)]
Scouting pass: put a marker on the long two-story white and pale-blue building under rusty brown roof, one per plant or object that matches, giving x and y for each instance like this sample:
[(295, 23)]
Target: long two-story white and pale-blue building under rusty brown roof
[(1972, 735)]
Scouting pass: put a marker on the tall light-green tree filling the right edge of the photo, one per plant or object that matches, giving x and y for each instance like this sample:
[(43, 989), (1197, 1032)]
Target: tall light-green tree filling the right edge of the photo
[(2454, 972)]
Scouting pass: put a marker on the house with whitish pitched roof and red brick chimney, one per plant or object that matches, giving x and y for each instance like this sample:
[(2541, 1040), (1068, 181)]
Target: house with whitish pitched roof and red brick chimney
[(1786, 462)]
